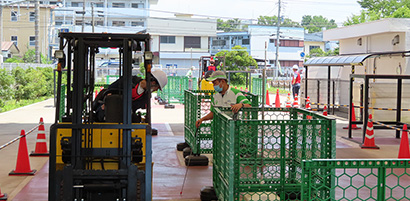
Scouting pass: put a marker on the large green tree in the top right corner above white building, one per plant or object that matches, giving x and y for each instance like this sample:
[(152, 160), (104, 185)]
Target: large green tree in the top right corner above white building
[(378, 9)]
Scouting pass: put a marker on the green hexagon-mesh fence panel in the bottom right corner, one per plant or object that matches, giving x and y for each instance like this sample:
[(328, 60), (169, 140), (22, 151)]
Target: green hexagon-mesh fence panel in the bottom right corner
[(356, 179)]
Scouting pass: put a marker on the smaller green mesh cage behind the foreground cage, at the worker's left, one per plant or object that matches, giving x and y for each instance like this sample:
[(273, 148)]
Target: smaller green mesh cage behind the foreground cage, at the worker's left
[(197, 105)]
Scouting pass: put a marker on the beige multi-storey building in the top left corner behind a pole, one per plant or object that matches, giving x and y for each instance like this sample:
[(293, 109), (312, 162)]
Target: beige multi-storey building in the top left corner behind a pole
[(18, 27)]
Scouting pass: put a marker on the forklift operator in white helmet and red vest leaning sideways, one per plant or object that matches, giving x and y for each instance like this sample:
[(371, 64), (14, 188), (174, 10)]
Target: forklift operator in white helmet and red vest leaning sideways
[(139, 87)]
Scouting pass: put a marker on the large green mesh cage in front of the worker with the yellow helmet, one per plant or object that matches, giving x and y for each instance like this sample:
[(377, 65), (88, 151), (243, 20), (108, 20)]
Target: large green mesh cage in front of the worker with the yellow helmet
[(259, 155)]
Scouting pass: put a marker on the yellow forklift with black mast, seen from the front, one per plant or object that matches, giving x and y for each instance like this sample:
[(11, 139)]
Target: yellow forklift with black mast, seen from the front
[(104, 161)]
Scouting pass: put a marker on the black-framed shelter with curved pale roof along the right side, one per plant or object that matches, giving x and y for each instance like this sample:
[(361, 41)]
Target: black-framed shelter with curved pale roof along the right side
[(328, 63)]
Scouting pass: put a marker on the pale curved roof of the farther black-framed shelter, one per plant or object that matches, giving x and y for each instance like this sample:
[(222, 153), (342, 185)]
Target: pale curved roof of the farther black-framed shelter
[(337, 60)]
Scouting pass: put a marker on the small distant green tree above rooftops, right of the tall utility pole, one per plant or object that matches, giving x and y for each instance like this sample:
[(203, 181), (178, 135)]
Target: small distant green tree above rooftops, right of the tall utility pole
[(315, 23)]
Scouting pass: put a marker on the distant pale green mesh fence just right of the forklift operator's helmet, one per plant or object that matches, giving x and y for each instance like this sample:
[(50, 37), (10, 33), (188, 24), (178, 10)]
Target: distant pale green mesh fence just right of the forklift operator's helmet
[(174, 90)]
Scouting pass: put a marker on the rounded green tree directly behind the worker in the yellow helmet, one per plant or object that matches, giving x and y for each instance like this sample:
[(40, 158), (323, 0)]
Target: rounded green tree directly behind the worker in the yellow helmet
[(237, 59)]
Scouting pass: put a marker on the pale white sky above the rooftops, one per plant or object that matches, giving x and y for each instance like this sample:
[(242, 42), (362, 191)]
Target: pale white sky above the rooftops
[(339, 10)]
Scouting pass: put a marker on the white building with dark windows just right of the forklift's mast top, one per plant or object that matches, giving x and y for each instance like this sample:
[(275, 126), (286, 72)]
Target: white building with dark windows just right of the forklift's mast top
[(179, 42)]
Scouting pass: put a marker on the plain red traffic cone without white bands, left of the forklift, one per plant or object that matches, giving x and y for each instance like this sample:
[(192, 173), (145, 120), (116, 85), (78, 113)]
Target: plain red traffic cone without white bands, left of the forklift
[(23, 162)]
